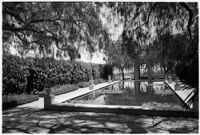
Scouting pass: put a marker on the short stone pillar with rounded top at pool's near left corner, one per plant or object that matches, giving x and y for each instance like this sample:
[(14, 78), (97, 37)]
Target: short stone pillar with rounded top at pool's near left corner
[(48, 98)]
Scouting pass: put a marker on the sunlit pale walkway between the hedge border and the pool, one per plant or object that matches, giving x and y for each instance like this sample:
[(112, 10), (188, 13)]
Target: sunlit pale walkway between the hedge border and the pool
[(70, 95)]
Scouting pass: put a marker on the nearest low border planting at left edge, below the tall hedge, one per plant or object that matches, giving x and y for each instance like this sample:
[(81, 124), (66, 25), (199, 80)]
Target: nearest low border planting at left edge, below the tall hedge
[(17, 99)]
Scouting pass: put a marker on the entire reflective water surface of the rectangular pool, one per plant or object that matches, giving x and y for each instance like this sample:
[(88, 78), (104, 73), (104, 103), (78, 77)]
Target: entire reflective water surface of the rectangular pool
[(134, 93)]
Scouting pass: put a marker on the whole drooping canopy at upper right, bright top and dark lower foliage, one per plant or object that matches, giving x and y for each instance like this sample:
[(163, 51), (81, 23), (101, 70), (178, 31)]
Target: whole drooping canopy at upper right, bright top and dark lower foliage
[(158, 27)]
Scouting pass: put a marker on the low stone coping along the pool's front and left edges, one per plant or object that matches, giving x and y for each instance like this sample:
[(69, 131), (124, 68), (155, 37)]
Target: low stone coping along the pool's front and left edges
[(130, 110)]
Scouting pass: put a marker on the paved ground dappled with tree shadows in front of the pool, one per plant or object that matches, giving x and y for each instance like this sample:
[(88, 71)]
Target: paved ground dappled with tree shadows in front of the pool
[(28, 120)]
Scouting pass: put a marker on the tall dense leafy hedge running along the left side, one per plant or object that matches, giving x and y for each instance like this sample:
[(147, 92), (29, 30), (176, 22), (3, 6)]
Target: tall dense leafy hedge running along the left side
[(33, 74)]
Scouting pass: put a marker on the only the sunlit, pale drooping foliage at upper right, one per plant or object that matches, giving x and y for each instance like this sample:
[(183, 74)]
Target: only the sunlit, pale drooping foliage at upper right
[(144, 22)]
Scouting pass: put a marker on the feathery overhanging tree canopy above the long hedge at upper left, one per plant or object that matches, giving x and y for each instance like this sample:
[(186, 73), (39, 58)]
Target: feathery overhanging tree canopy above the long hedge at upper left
[(45, 23)]
